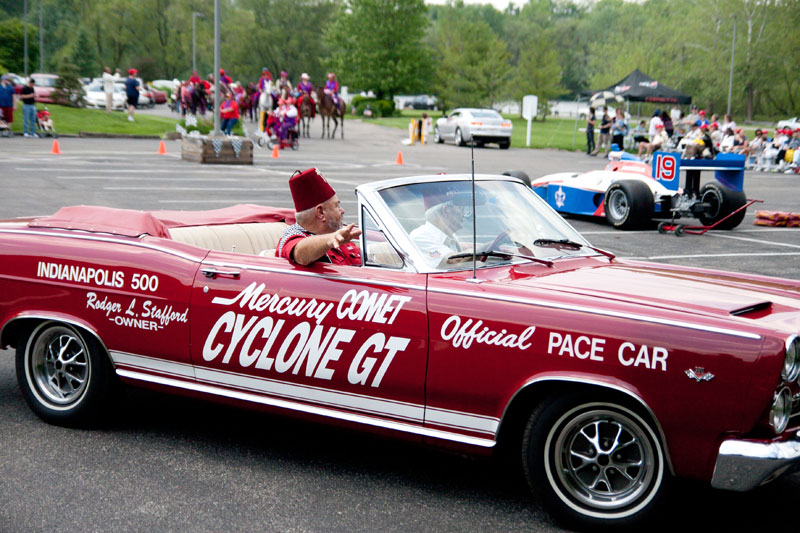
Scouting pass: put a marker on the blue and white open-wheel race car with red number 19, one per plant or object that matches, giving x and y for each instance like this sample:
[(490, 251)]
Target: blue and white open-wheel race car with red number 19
[(630, 194)]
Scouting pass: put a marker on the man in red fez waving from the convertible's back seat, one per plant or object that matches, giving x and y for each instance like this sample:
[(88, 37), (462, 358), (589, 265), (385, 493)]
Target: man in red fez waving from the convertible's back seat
[(318, 234)]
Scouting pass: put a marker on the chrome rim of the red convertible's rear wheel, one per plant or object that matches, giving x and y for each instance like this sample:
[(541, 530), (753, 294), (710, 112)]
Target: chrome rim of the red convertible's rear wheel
[(59, 367)]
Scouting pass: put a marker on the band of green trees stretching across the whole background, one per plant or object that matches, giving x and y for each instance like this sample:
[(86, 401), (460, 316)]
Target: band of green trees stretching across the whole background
[(463, 53)]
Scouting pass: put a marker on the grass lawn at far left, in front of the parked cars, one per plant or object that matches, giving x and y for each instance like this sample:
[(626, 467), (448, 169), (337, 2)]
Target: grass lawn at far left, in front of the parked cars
[(71, 120)]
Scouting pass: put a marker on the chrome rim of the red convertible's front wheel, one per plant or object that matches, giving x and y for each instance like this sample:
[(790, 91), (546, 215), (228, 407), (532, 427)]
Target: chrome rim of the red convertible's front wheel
[(604, 459)]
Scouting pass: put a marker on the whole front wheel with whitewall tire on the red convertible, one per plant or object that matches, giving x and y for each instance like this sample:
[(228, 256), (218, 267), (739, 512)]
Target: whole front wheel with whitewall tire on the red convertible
[(594, 462)]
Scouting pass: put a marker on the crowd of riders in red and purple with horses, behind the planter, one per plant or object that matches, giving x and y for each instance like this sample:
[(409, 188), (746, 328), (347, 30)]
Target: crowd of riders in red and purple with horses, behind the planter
[(274, 104)]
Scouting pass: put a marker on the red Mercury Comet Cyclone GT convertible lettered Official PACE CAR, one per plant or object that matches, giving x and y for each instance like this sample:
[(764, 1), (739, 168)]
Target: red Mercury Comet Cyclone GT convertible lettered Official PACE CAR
[(506, 330)]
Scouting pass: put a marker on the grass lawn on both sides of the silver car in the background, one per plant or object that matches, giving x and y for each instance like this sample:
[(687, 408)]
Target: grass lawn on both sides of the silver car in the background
[(551, 133)]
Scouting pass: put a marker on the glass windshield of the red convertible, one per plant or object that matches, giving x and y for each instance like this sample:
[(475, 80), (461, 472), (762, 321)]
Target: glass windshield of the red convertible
[(513, 224)]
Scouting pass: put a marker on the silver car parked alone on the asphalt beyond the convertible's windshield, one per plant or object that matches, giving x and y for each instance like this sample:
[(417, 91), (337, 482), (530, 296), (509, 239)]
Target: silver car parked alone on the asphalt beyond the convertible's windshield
[(483, 125)]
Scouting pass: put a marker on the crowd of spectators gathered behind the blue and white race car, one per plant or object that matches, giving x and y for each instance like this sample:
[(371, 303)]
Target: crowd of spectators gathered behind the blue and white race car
[(695, 136)]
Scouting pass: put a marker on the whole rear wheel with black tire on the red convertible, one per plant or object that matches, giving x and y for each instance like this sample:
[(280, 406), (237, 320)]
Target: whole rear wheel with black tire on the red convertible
[(65, 375)]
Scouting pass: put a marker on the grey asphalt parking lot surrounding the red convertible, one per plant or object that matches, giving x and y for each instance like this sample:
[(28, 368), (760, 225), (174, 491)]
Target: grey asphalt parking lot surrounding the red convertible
[(174, 464)]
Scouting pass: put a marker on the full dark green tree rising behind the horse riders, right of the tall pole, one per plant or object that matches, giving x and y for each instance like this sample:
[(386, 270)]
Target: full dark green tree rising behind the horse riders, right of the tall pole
[(377, 45)]
